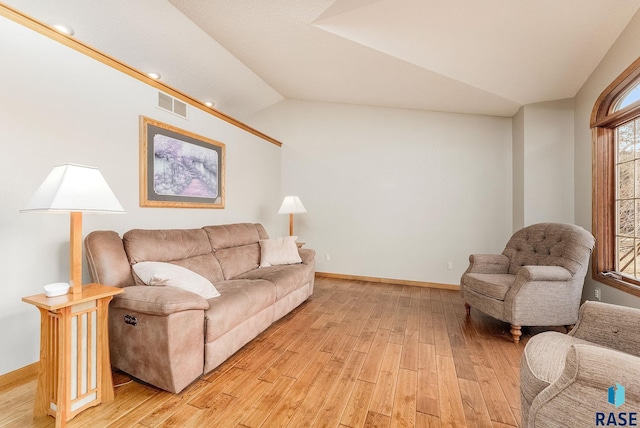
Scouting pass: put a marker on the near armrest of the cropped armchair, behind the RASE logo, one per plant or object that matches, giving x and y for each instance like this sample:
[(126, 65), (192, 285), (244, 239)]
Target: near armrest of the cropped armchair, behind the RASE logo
[(588, 374)]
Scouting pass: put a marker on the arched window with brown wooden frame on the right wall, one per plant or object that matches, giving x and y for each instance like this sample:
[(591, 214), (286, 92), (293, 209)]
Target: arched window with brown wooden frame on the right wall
[(615, 122)]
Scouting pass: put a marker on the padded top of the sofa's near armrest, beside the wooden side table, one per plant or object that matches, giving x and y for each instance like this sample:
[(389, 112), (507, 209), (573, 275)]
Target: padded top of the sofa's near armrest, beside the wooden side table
[(158, 300)]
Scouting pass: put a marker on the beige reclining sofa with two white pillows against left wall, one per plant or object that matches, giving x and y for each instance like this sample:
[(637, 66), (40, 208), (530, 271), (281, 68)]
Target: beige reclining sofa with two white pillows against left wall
[(168, 336)]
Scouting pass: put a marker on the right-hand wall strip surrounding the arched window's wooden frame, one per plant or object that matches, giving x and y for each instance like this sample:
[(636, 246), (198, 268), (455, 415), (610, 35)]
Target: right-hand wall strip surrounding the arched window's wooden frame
[(620, 56)]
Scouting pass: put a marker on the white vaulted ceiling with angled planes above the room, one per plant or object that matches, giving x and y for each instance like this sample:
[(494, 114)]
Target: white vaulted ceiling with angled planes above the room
[(484, 57)]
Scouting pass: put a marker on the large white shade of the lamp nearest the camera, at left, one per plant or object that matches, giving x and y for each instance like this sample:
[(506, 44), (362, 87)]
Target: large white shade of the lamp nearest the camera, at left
[(74, 188)]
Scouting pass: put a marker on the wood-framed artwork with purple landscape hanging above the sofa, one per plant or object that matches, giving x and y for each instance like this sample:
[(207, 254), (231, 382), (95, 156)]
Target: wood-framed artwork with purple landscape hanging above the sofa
[(179, 169)]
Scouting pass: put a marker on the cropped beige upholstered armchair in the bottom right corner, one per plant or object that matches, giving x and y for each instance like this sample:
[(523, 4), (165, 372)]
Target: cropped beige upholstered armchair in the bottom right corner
[(589, 377)]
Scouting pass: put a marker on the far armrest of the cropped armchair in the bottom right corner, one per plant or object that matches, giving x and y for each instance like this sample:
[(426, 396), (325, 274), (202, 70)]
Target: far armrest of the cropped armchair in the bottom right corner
[(609, 325)]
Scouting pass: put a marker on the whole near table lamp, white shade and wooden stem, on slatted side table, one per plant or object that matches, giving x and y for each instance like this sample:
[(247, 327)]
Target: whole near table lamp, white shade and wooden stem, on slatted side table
[(74, 189)]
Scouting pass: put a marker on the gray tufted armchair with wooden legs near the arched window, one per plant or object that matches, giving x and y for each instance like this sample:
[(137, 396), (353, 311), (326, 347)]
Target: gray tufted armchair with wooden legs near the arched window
[(536, 281)]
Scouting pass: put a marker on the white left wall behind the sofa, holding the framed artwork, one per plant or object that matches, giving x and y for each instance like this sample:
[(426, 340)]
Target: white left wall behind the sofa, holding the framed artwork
[(58, 106)]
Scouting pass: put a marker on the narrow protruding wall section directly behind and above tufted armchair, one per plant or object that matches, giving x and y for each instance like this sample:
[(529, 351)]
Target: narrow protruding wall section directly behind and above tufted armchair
[(543, 163)]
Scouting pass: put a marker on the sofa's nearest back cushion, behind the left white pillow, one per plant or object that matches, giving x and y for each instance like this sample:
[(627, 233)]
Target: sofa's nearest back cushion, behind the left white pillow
[(189, 248)]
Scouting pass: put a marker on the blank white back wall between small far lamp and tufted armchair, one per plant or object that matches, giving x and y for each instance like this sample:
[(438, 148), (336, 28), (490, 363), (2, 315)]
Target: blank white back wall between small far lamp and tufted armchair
[(395, 193)]
